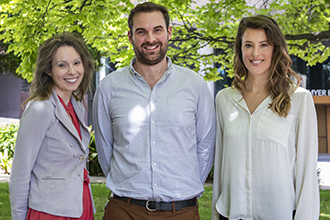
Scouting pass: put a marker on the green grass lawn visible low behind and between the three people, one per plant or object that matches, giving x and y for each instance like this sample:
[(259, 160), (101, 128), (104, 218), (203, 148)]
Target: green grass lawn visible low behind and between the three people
[(100, 194)]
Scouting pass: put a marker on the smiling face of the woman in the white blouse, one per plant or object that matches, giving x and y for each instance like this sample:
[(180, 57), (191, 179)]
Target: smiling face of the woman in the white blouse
[(257, 52)]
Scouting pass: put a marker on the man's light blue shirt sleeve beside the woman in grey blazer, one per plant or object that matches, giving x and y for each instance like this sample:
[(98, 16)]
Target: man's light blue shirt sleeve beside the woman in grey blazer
[(103, 130)]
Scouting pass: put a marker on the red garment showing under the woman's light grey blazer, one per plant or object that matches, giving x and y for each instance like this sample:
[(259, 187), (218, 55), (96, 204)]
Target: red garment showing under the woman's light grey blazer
[(87, 202)]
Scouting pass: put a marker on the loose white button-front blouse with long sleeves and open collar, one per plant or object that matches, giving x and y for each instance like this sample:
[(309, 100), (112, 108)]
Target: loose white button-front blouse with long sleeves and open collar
[(265, 165)]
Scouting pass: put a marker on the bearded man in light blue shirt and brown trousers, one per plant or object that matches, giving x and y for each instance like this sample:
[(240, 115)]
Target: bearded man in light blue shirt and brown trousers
[(154, 127)]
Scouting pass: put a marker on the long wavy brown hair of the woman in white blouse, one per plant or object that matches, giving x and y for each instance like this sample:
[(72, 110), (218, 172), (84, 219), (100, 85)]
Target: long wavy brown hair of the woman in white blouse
[(280, 84)]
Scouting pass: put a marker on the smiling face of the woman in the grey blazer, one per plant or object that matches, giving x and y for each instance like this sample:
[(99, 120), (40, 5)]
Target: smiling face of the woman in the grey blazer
[(67, 71)]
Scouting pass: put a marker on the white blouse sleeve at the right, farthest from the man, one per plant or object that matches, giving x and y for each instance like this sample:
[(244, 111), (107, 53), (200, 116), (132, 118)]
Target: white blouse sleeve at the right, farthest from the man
[(307, 189)]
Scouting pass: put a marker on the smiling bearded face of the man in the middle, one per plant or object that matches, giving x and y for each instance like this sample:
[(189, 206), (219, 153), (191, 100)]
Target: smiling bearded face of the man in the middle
[(149, 37)]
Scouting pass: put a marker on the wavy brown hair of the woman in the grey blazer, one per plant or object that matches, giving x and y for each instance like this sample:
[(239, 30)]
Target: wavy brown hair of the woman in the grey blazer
[(42, 83)]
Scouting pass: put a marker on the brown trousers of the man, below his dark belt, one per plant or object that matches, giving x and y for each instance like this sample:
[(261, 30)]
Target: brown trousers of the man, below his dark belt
[(120, 210)]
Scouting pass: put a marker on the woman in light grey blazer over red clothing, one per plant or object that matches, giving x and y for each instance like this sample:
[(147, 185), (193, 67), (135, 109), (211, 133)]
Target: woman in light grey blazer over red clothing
[(49, 179)]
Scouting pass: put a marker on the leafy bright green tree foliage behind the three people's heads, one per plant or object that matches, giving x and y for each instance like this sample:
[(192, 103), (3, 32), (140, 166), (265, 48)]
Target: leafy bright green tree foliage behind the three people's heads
[(25, 24)]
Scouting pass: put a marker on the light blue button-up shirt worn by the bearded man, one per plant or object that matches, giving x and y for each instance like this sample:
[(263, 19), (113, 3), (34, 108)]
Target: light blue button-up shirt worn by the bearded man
[(159, 143)]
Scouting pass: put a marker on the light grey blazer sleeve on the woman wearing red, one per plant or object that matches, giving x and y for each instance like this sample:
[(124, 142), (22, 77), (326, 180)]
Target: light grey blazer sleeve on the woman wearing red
[(33, 127)]
